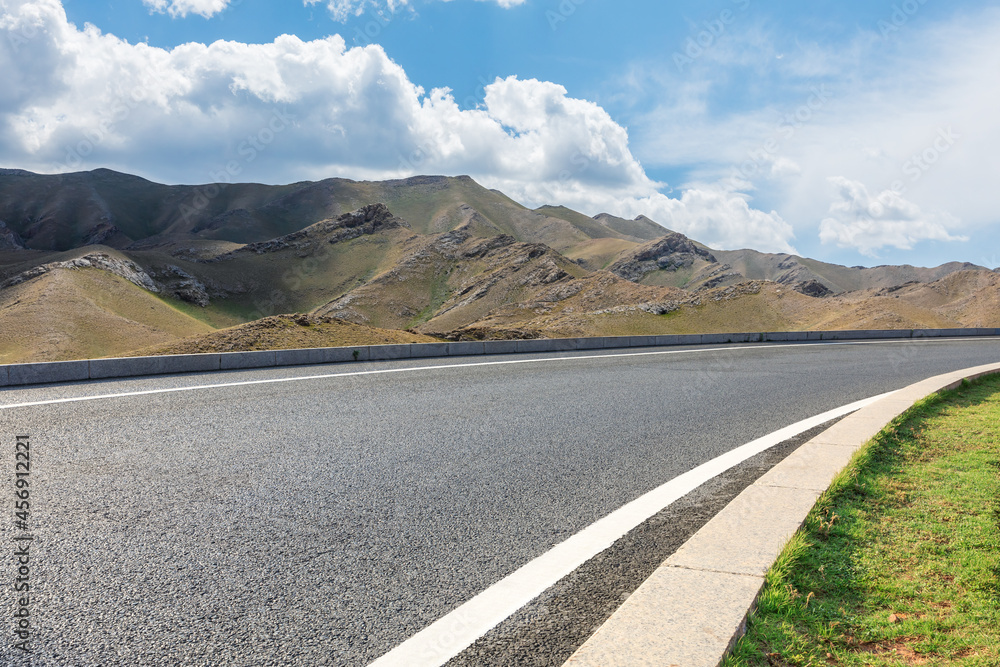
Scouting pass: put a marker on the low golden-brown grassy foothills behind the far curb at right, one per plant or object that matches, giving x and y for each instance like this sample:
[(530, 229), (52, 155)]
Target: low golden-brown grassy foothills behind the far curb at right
[(964, 299)]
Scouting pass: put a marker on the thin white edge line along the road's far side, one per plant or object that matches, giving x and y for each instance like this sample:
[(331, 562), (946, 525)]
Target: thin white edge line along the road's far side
[(305, 378)]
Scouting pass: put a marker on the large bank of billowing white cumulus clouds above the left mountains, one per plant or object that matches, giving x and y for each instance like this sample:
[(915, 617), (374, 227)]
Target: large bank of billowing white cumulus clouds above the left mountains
[(292, 110)]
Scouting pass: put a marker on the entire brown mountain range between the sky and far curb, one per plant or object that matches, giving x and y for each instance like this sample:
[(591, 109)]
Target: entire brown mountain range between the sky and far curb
[(101, 263)]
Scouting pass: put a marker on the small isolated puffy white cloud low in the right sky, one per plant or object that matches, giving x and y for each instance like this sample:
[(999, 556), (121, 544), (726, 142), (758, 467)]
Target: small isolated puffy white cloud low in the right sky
[(858, 220)]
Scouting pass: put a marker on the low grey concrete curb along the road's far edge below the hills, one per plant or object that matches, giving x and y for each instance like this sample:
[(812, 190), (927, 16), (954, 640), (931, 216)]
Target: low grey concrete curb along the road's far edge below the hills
[(122, 367)]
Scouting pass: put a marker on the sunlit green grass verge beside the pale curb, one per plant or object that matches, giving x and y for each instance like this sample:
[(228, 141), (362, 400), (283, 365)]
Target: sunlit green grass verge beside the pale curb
[(899, 562)]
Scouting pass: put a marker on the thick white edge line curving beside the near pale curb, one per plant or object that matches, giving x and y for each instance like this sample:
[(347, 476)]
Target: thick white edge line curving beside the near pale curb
[(453, 633)]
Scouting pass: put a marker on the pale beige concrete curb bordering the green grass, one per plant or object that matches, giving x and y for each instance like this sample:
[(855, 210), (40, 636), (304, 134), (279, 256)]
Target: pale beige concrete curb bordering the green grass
[(694, 607)]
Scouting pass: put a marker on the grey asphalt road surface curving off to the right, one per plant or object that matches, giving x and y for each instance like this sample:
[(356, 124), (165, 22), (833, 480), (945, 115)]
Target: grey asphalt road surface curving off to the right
[(323, 521)]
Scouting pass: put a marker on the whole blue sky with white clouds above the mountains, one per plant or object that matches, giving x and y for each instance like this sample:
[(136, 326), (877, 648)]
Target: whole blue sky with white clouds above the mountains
[(860, 133)]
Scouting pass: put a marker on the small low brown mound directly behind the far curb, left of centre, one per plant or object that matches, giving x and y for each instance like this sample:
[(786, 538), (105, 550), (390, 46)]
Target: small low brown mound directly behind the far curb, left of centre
[(284, 332)]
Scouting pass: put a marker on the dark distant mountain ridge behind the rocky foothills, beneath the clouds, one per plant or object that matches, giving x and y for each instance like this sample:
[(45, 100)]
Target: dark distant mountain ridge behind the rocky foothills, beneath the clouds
[(61, 212)]
